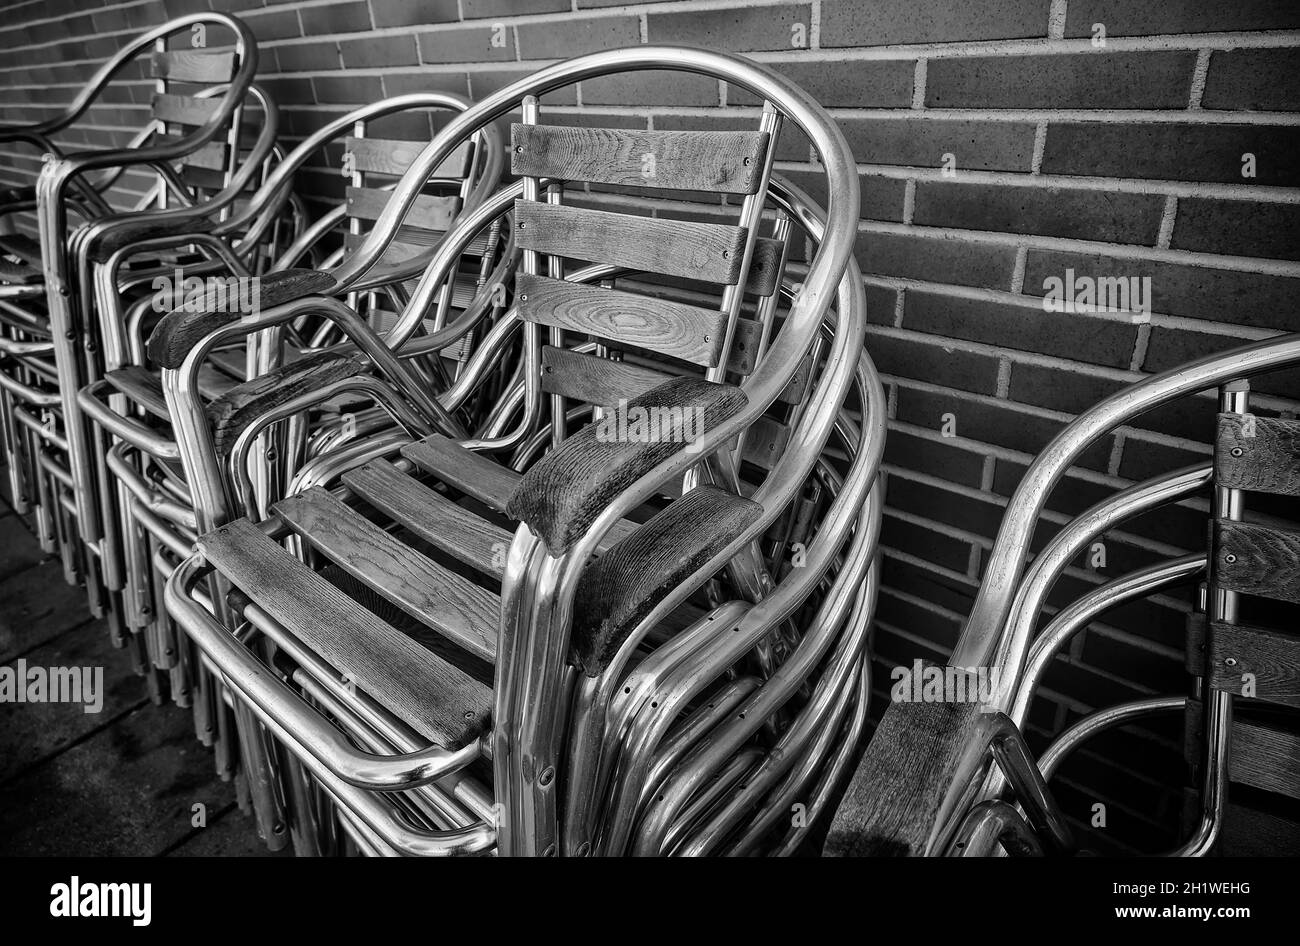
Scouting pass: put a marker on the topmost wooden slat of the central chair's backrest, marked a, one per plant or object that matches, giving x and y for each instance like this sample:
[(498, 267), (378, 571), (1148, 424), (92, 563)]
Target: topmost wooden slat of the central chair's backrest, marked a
[(718, 162)]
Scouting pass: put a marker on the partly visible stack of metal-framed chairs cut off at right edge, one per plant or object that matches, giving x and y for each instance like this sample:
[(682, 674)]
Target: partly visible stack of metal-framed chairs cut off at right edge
[(957, 779)]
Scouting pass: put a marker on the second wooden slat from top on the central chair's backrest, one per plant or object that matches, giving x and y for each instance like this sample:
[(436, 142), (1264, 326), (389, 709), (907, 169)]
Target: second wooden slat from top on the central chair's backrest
[(709, 253)]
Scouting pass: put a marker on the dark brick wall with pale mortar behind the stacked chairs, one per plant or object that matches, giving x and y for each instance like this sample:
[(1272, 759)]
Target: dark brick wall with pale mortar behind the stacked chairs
[(999, 145)]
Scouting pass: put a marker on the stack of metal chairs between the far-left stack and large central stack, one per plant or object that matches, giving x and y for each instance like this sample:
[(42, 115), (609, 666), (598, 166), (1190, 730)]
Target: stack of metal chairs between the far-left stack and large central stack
[(142, 496)]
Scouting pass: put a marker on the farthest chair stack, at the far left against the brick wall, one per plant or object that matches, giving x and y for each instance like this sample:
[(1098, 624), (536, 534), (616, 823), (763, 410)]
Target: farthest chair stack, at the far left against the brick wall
[(46, 303)]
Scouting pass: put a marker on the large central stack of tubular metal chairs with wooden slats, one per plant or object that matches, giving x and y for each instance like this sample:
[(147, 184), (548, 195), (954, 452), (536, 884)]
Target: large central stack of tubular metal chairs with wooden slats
[(560, 632)]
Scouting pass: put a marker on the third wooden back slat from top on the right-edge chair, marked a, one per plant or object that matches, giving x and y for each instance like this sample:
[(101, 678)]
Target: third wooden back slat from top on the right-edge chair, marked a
[(1255, 662)]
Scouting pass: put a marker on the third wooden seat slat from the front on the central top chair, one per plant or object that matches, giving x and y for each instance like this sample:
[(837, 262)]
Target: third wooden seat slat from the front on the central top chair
[(437, 520)]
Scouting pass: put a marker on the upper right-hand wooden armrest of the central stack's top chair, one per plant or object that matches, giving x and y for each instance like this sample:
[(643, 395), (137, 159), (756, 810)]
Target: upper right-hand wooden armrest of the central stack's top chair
[(566, 491)]
